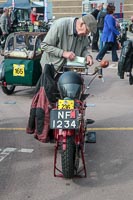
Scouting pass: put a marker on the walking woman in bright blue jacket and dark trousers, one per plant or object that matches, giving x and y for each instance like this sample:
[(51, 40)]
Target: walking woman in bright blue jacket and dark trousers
[(109, 36)]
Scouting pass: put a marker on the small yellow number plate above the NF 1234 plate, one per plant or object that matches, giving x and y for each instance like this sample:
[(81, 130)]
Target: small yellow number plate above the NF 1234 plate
[(65, 104)]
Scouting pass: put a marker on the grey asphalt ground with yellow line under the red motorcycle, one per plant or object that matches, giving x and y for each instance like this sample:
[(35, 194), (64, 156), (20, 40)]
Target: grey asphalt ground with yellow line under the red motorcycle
[(26, 165)]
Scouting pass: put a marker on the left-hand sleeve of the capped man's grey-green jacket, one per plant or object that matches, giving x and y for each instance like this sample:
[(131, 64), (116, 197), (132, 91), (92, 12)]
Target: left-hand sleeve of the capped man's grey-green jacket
[(51, 41)]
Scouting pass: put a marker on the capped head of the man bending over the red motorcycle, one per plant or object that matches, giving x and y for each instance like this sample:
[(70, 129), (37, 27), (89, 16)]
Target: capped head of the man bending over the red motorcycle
[(86, 24)]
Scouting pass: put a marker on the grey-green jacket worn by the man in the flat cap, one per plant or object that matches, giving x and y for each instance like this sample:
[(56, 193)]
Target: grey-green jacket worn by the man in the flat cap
[(60, 38)]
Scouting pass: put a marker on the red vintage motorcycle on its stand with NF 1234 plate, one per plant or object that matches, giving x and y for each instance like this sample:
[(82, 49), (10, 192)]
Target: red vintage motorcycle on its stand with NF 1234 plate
[(68, 122)]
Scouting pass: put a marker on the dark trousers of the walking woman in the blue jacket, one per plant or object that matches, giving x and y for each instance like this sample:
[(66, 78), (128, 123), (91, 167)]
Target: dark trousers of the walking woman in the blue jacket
[(106, 47)]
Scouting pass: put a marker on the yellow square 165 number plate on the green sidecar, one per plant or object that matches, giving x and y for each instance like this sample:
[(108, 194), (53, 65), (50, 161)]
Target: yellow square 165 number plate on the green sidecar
[(18, 70)]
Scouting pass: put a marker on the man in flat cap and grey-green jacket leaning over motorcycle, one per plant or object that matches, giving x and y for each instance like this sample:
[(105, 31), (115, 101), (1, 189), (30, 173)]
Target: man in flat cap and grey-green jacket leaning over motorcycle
[(66, 39)]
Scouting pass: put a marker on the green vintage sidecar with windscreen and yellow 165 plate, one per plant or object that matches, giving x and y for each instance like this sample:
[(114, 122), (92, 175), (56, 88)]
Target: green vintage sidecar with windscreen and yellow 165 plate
[(21, 64)]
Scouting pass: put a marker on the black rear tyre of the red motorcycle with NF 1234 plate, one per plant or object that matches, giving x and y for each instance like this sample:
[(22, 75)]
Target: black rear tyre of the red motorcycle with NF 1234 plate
[(68, 158)]
